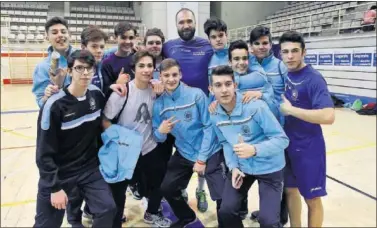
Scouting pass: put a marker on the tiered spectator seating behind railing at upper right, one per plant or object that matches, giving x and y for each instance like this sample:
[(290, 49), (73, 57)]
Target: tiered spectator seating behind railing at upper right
[(312, 19)]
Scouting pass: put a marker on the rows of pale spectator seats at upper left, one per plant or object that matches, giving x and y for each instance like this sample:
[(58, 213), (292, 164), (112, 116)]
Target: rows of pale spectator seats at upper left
[(26, 20)]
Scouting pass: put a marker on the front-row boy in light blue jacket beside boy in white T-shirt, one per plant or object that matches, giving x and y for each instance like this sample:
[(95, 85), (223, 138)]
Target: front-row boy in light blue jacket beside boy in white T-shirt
[(183, 112)]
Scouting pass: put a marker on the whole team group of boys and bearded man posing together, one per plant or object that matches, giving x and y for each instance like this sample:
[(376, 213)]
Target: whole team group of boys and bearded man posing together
[(235, 114)]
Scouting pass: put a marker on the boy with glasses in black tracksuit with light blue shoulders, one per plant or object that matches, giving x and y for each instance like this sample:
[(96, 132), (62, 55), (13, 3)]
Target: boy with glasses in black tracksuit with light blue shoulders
[(69, 168)]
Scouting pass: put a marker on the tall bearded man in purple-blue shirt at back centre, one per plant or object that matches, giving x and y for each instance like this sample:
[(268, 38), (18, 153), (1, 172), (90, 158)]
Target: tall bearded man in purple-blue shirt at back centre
[(193, 55)]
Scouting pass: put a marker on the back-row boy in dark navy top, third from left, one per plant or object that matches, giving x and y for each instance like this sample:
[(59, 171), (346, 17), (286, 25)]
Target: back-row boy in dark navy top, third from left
[(117, 65)]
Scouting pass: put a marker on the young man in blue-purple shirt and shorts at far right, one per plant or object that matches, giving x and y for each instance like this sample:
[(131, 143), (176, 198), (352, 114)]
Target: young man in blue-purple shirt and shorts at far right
[(307, 104)]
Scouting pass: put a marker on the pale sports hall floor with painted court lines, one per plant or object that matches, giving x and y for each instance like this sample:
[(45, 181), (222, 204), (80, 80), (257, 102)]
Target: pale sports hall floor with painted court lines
[(351, 169)]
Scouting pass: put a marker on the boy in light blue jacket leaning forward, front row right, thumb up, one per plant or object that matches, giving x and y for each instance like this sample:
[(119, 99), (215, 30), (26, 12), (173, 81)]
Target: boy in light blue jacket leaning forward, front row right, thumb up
[(253, 143)]
